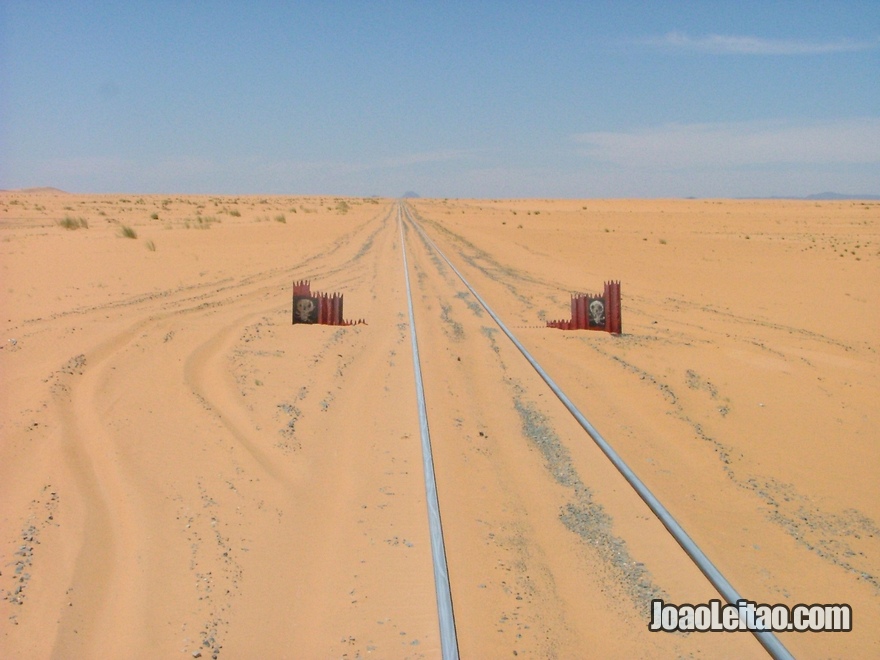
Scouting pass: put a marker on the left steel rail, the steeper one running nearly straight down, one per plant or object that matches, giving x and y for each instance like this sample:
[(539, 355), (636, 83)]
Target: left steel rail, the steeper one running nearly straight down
[(448, 639)]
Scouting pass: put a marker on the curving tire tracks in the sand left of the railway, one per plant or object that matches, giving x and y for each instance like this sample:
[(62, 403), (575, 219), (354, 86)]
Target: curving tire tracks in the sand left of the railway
[(107, 568)]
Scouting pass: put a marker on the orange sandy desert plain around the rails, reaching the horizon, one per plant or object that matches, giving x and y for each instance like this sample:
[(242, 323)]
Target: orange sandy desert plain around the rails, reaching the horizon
[(184, 473)]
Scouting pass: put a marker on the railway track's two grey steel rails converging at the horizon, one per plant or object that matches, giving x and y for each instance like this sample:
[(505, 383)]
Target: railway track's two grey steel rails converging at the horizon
[(767, 639)]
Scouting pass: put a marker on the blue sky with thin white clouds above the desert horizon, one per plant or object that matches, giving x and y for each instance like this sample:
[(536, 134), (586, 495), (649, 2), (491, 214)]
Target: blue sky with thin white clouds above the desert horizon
[(449, 99)]
